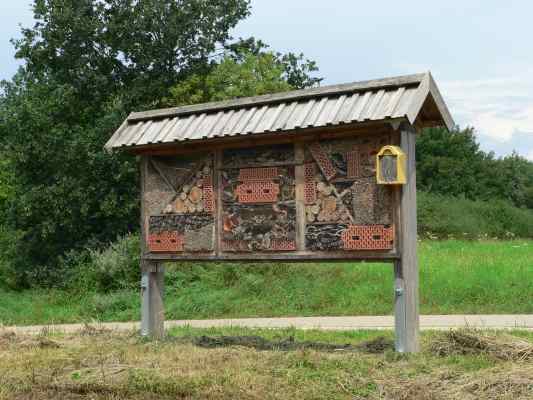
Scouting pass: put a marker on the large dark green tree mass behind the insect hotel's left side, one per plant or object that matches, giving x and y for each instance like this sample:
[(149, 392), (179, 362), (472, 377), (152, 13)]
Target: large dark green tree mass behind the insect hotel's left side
[(87, 64)]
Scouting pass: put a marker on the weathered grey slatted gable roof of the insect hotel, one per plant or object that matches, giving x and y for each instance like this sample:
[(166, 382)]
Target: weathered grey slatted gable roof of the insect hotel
[(391, 98)]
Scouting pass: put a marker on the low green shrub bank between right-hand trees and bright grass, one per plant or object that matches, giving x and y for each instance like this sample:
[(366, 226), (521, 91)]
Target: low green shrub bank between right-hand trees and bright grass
[(442, 217)]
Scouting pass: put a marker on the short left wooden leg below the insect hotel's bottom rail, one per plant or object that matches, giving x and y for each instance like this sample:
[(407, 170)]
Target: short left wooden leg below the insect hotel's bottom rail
[(152, 310)]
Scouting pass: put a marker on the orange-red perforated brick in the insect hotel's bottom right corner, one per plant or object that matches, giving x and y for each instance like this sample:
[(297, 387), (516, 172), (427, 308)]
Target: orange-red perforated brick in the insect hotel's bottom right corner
[(368, 237)]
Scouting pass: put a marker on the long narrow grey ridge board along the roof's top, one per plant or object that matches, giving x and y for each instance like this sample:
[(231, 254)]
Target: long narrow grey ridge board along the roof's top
[(294, 95)]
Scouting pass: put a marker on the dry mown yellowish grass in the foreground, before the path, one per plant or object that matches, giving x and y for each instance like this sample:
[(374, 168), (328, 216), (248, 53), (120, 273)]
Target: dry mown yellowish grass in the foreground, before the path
[(359, 365)]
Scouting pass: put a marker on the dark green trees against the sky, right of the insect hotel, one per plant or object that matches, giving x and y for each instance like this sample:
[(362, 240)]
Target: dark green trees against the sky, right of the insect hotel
[(452, 164)]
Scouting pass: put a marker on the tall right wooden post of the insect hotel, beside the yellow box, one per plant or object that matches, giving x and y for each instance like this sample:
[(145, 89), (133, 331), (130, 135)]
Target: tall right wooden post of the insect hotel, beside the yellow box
[(406, 268)]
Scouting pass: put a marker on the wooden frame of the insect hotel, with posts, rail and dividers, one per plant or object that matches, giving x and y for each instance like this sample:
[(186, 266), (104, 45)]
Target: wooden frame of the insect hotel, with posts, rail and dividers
[(402, 257)]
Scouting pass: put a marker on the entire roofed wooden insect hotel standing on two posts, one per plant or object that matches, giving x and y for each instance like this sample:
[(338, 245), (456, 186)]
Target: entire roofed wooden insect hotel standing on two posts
[(322, 174)]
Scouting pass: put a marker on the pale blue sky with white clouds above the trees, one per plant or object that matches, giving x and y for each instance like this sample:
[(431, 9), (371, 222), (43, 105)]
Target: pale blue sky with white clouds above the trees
[(479, 52)]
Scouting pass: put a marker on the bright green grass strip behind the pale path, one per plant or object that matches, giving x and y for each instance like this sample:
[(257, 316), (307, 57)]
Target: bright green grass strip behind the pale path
[(477, 277)]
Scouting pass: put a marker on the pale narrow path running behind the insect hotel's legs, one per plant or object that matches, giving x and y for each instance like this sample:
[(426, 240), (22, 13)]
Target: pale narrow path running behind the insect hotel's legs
[(437, 322)]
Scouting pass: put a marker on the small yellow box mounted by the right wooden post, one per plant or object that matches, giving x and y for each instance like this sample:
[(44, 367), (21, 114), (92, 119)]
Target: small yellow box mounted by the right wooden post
[(391, 166)]
